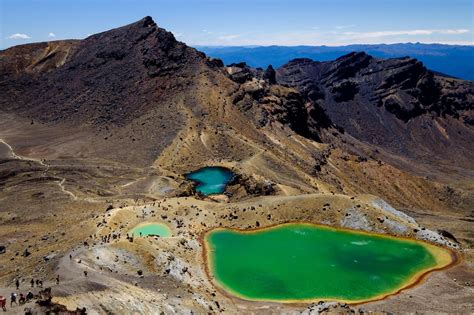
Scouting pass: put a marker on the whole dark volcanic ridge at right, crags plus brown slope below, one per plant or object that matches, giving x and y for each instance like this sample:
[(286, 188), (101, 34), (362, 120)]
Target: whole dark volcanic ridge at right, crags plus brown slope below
[(395, 103)]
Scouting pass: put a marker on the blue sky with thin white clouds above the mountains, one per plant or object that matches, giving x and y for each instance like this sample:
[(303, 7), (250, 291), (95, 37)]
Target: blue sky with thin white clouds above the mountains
[(246, 22)]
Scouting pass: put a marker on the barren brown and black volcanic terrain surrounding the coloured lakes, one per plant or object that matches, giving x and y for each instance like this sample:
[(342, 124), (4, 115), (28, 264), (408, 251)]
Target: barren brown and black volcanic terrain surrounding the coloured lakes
[(96, 136)]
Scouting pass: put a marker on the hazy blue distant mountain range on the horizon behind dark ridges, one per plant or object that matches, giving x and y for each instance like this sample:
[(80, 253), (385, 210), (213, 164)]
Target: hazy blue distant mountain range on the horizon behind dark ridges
[(453, 60)]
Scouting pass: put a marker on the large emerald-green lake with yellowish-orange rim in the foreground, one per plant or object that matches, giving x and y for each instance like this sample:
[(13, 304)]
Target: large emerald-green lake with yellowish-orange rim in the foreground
[(303, 262)]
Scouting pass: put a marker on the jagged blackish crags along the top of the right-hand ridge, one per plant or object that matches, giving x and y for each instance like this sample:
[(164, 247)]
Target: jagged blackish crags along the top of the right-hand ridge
[(403, 86)]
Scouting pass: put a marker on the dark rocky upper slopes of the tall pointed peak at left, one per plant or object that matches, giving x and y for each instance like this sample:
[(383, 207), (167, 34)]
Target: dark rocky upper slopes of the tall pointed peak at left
[(108, 78)]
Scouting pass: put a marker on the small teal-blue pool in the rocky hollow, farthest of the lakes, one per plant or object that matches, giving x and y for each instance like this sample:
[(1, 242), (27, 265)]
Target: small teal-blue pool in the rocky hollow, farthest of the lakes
[(211, 180)]
